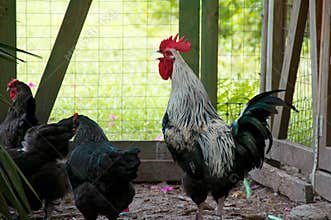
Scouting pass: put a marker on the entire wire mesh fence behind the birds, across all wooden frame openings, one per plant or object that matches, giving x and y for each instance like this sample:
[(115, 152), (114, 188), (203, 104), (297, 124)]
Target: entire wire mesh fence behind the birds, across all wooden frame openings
[(113, 76)]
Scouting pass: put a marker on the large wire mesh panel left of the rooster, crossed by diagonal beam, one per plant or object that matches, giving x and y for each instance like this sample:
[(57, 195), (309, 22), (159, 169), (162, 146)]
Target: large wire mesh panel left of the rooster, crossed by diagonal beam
[(113, 75)]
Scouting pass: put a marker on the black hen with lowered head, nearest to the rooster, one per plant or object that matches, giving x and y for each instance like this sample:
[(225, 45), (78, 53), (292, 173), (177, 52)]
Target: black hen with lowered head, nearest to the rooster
[(100, 174)]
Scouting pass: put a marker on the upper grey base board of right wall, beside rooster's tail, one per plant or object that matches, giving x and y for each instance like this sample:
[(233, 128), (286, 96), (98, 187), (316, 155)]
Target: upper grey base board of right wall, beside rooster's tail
[(292, 154)]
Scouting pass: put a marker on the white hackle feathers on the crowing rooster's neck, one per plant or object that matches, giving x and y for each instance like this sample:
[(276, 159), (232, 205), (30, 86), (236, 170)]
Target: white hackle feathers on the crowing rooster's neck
[(189, 104)]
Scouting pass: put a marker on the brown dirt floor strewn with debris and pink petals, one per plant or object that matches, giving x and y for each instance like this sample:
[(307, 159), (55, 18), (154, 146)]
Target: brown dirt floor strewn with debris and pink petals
[(163, 201)]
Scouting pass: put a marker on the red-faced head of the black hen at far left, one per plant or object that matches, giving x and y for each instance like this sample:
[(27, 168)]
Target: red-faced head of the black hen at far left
[(18, 90)]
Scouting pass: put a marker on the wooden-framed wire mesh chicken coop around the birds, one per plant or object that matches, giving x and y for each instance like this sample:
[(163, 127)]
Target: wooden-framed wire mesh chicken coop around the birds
[(98, 59)]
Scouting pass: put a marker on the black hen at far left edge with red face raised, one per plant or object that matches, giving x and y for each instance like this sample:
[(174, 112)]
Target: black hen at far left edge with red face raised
[(21, 115)]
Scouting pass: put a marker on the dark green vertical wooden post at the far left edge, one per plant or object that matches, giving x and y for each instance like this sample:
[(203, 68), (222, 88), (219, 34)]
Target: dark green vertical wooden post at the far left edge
[(7, 36)]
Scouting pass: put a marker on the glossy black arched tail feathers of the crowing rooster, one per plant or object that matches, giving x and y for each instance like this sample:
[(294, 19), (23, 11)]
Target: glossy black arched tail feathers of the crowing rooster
[(251, 128)]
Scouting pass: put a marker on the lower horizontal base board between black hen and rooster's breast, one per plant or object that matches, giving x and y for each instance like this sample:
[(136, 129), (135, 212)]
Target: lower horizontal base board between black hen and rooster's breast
[(159, 171)]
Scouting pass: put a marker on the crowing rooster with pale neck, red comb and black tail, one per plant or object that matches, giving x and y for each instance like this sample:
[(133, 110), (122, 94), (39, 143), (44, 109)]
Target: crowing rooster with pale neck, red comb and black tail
[(213, 155)]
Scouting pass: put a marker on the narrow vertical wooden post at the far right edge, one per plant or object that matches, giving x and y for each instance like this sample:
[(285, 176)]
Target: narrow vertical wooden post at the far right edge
[(324, 72)]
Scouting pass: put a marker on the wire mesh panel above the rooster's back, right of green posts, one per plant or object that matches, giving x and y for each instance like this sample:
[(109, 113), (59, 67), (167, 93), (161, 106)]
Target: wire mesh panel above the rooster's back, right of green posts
[(239, 54)]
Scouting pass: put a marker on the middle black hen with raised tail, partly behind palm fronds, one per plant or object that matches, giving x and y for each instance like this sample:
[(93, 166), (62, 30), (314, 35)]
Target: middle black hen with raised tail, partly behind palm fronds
[(38, 158)]
